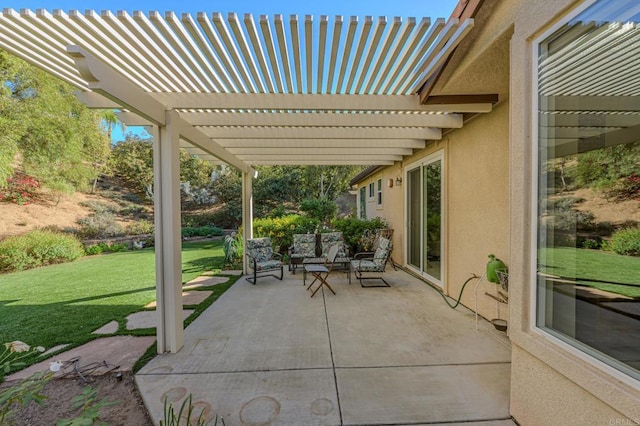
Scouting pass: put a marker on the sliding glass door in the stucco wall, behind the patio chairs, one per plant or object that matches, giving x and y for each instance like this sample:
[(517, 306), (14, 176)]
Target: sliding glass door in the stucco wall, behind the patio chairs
[(424, 217)]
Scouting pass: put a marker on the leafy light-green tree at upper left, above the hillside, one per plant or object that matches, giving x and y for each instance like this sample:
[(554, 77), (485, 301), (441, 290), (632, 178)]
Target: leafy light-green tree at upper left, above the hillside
[(57, 138)]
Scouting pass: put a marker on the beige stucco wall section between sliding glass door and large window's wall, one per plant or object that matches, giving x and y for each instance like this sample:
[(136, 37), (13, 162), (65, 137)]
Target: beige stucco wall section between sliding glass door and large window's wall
[(477, 205)]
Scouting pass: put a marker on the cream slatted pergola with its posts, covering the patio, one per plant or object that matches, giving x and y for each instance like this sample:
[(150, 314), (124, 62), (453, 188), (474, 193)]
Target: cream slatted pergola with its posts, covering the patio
[(247, 92)]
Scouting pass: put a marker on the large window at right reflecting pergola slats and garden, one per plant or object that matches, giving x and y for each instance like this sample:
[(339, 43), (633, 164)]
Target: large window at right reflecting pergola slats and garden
[(588, 271)]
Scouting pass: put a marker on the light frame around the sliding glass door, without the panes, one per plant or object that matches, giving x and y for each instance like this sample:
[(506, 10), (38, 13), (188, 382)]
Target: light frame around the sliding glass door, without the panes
[(423, 162)]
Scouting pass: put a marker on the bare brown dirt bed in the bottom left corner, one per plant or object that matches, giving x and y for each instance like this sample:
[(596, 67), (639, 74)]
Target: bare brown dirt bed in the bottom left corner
[(127, 410)]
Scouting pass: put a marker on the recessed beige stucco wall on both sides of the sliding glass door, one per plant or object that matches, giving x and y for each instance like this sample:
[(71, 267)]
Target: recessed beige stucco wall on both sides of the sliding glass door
[(475, 204)]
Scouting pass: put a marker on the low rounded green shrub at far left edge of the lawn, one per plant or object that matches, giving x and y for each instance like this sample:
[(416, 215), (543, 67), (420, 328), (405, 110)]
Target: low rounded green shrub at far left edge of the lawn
[(38, 248)]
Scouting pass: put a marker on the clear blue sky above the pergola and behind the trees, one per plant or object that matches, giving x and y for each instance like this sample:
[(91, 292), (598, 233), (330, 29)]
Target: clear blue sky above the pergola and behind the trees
[(403, 8)]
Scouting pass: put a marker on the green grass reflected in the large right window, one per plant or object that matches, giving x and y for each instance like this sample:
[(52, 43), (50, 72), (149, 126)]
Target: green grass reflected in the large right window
[(596, 268)]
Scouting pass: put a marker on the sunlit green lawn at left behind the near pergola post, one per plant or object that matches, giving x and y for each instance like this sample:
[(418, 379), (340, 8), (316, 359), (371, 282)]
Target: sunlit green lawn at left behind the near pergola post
[(65, 303)]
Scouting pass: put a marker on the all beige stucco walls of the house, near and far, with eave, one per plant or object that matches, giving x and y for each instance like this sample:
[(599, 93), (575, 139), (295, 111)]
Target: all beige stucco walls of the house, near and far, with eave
[(551, 382)]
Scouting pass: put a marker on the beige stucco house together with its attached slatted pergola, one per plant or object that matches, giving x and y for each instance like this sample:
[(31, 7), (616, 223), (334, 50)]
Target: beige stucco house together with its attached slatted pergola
[(524, 94)]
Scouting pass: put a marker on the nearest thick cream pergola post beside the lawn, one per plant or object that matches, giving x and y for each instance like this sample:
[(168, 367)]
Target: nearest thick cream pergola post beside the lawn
[(166, 168)]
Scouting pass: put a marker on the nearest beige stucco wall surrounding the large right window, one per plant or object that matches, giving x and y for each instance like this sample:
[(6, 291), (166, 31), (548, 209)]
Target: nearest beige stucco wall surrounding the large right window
[(551, 383)]
